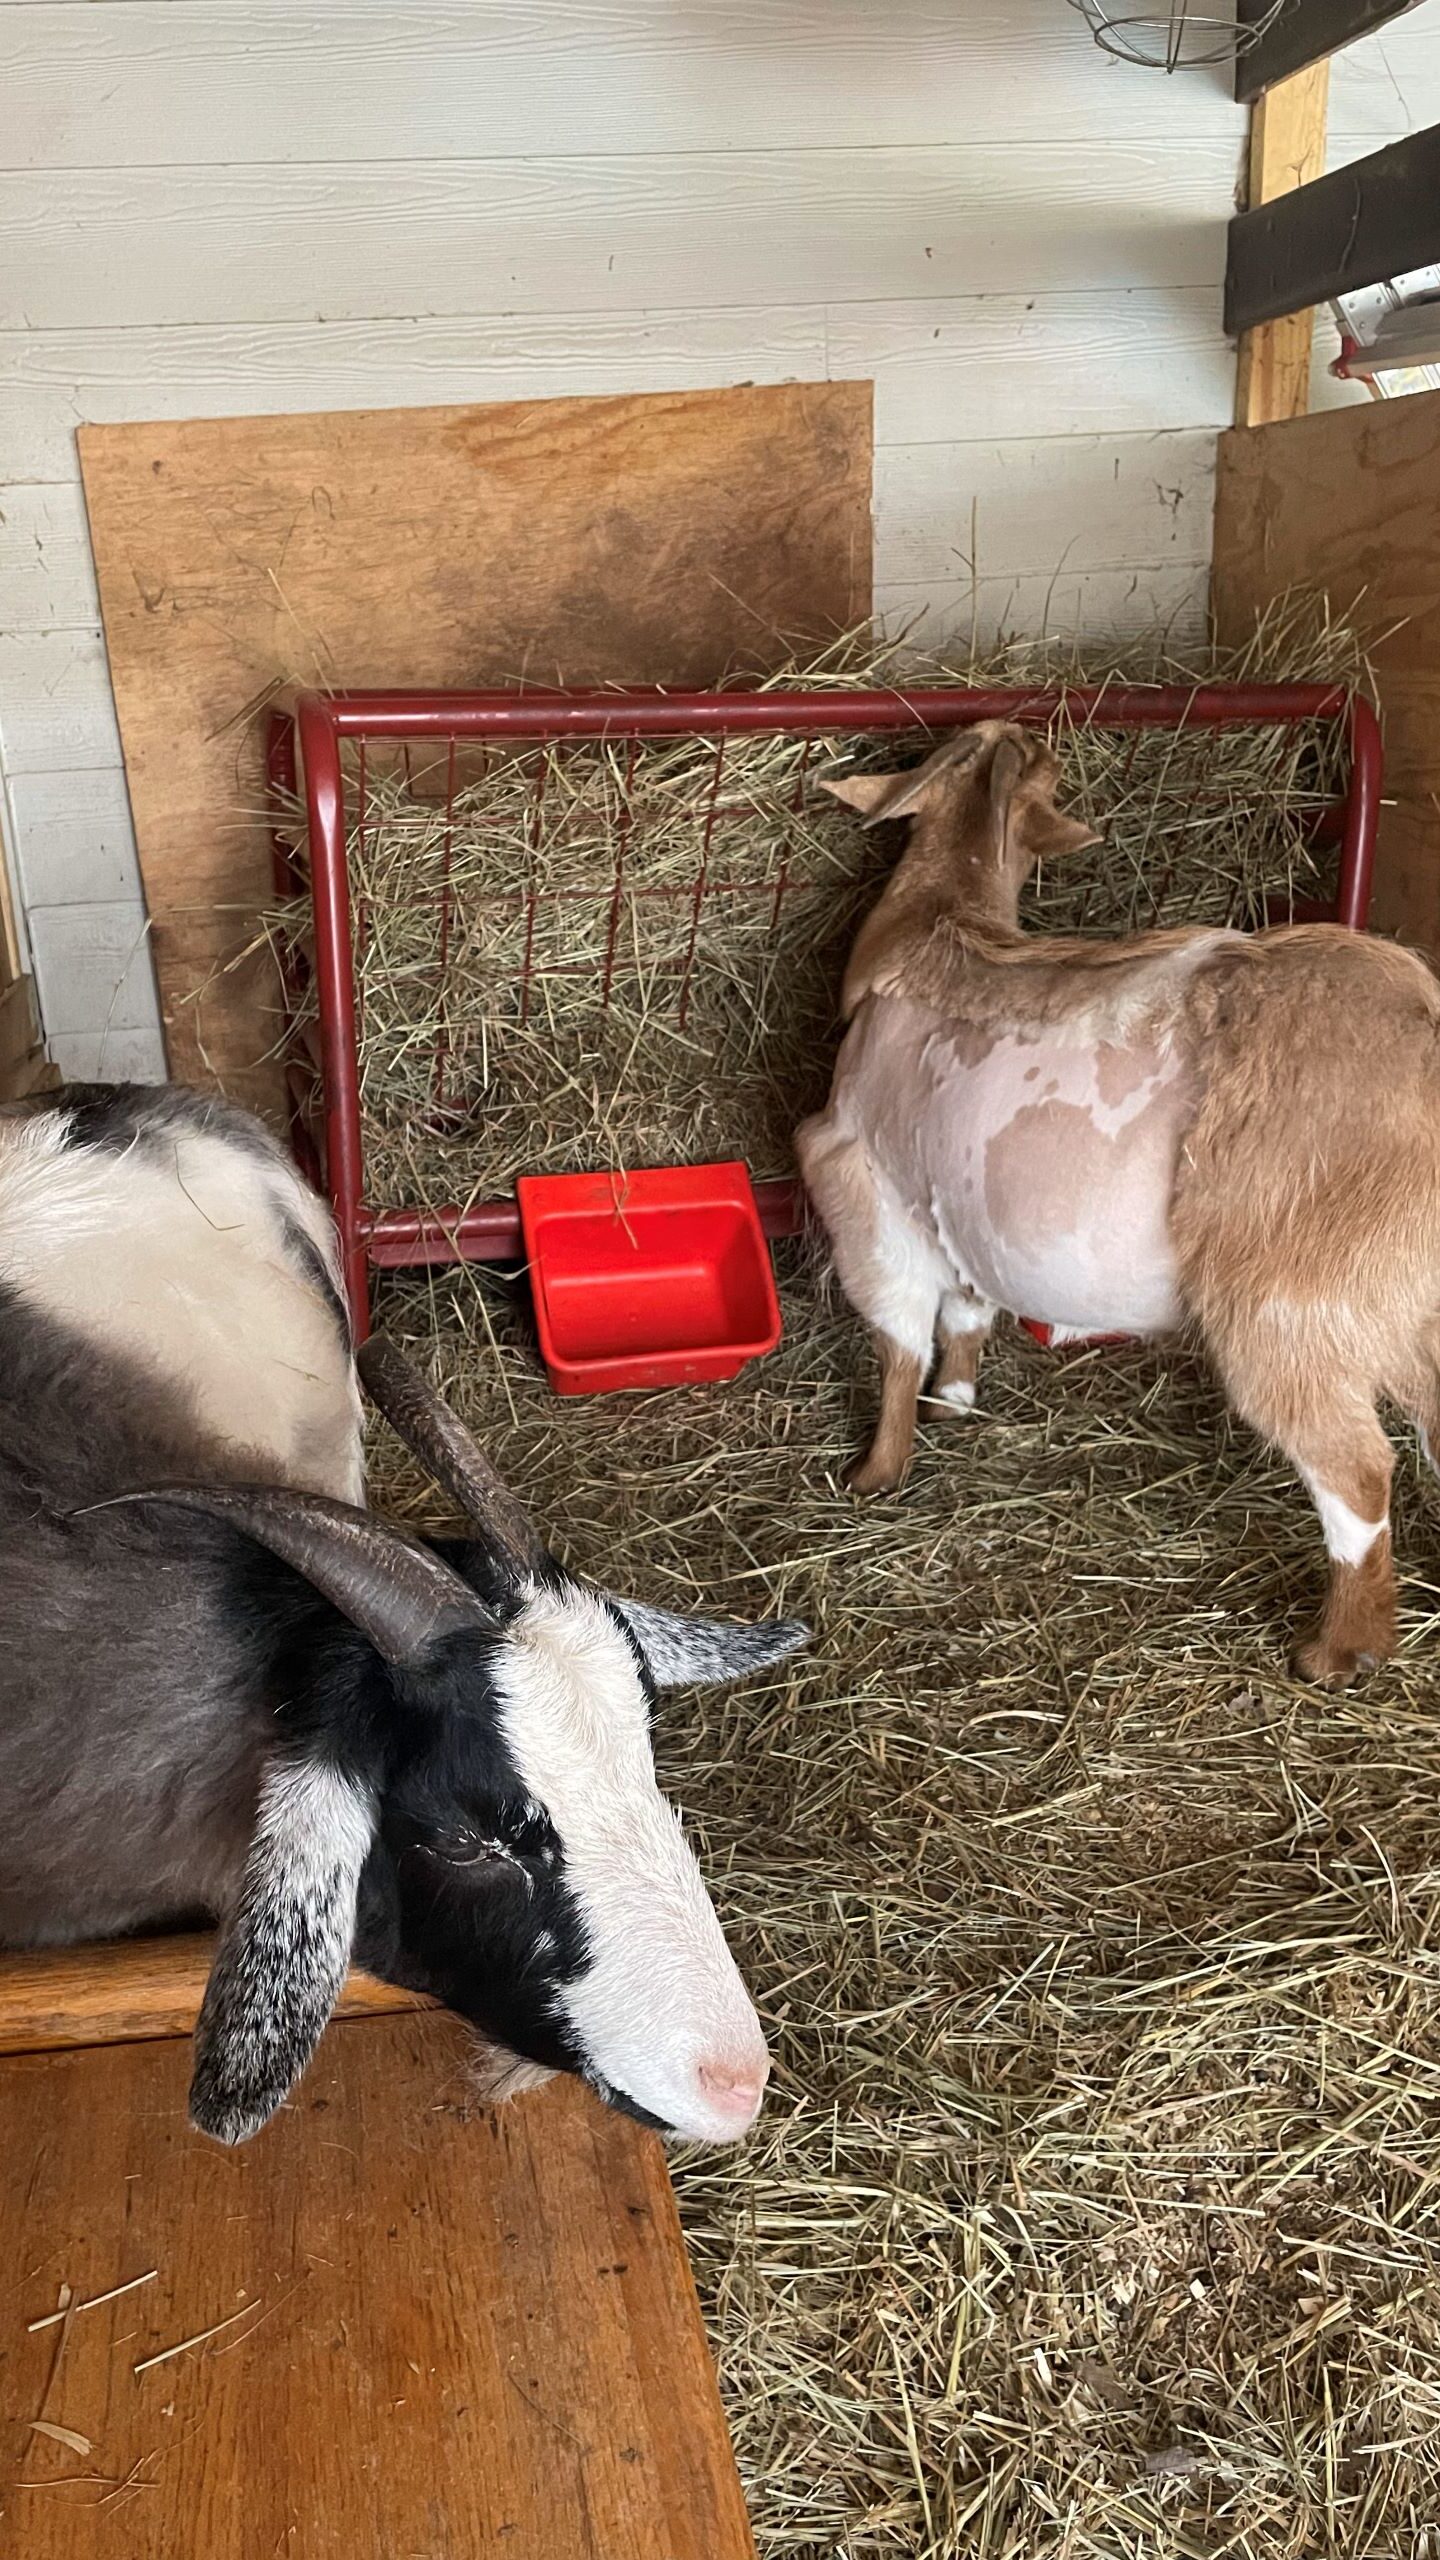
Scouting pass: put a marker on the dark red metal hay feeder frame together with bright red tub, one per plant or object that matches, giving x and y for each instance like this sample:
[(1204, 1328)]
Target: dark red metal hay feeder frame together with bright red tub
[(380, 1235)]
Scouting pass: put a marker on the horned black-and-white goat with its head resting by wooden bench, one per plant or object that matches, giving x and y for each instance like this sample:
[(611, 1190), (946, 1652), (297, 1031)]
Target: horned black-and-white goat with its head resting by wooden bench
[(229, 1691)]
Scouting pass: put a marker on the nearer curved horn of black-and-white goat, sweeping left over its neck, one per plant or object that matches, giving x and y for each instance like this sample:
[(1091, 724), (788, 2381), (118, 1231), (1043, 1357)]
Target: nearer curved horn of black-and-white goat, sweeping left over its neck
[(386, 1583)]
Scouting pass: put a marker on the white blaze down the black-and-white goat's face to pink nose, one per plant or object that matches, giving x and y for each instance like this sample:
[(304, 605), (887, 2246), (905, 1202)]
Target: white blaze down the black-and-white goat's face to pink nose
[(662, 2013)]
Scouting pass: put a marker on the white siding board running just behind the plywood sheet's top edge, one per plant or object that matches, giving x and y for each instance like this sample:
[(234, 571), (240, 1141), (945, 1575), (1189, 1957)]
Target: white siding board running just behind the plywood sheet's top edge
[(995, 367)]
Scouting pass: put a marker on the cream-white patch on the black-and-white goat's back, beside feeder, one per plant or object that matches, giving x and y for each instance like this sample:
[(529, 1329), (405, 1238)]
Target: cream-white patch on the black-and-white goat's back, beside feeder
[(178, 1258)]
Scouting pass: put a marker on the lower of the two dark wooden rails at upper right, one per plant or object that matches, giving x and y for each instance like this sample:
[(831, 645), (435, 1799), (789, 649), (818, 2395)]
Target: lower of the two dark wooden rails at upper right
[(1357, 227)]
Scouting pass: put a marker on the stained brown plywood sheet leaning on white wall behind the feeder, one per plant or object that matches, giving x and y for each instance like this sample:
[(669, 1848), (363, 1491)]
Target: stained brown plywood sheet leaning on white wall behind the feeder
[(665, 539)]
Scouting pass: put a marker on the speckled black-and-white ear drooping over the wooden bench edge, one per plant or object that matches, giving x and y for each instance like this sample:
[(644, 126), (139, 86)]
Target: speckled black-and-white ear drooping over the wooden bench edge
[(286, 1947)]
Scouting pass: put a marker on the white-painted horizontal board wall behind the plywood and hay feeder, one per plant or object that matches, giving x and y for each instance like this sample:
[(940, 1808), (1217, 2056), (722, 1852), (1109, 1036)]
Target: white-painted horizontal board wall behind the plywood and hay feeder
[(234, 209)]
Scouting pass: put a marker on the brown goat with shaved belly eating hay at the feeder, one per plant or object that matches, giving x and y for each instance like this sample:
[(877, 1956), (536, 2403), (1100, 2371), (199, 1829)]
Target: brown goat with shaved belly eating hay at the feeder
[(1185, 1130)]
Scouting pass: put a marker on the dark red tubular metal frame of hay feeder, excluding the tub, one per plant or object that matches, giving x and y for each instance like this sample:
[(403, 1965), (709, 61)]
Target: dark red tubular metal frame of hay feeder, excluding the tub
[(304, 759)]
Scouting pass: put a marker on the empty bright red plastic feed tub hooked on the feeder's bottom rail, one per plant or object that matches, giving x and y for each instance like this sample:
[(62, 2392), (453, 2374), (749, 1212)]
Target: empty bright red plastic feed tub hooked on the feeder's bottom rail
[(647, 1279)]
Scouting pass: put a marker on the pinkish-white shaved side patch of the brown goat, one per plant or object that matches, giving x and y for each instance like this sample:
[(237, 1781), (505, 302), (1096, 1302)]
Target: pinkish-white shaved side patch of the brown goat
[(1039, 1161)]
